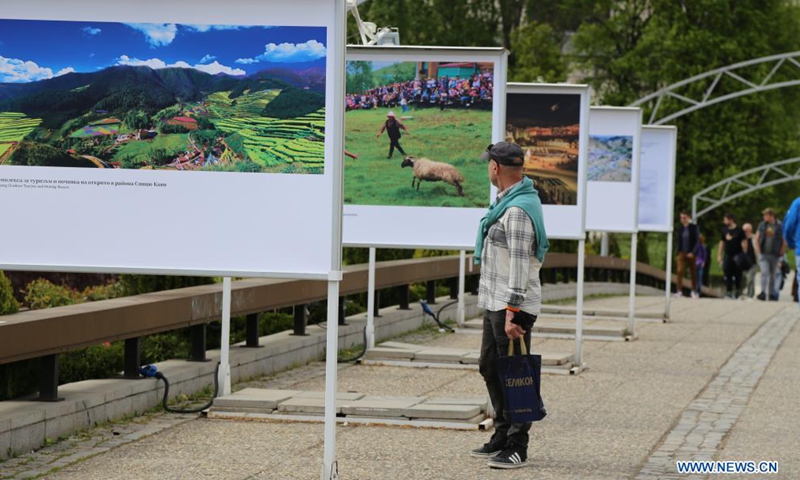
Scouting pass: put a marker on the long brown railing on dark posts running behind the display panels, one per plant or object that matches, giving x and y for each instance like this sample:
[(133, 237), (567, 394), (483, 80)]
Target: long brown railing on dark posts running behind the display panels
[(46, 333)]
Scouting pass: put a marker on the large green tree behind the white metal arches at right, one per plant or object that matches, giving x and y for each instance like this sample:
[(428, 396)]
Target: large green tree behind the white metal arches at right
[(645, 45)]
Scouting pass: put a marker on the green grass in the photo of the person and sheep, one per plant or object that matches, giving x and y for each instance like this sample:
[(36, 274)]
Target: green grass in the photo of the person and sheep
[(456, 137)]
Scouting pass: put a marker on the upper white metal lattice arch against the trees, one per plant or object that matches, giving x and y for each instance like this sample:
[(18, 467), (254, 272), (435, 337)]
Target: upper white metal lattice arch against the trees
[(748, 87)]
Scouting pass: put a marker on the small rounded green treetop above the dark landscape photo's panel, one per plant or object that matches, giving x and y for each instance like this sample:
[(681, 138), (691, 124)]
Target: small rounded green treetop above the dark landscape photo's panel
[(537, 54)]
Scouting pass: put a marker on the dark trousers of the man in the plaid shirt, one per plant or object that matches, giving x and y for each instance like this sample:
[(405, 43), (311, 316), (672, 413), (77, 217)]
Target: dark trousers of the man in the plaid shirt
[(494, 345)]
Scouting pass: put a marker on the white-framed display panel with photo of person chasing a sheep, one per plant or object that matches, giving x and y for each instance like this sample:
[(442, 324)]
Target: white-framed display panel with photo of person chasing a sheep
[(417, 121)]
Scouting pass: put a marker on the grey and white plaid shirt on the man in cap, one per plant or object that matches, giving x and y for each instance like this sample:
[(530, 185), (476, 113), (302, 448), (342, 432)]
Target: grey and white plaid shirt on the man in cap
[(509, 267)]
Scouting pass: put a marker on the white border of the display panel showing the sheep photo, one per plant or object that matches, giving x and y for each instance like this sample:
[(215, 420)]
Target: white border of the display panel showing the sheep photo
[(446, 228)]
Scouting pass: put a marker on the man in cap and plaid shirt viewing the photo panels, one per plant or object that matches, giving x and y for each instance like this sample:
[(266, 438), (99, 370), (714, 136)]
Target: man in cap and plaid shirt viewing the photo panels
[(511, 247)]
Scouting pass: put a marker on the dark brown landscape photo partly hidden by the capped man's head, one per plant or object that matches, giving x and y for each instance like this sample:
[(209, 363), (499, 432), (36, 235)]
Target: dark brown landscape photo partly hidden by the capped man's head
[(547, 127)]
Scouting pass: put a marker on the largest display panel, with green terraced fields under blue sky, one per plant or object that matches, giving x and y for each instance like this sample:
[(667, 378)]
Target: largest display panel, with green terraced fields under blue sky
[(179, 139)]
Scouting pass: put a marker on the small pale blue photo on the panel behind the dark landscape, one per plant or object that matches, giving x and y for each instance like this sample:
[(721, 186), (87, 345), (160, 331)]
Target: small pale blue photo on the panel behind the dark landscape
[(610, 158)]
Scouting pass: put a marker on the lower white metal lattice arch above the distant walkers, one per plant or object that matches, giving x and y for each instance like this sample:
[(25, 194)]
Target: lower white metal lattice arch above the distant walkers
[(745, 183)]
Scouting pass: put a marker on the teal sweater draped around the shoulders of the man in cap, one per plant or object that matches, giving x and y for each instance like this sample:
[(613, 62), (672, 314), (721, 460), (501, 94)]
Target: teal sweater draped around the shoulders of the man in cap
[(524, 196)]
